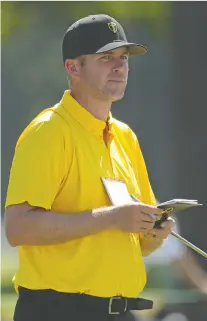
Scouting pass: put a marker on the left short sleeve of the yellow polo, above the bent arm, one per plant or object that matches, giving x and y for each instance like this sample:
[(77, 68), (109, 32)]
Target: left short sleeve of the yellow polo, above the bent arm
[(38, 166)]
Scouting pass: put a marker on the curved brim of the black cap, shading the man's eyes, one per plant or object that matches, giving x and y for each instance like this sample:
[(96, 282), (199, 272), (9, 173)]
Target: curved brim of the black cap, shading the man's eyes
[(134, 49)]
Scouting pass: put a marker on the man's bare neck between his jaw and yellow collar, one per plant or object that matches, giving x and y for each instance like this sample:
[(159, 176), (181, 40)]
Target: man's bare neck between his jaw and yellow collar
[(99, 109)]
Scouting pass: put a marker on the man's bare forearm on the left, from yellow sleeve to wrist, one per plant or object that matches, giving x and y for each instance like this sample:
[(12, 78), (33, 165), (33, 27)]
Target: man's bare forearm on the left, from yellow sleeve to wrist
[(40, 227)]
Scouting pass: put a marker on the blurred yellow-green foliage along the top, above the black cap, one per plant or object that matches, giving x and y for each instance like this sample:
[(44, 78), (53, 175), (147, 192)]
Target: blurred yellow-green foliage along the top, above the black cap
[(17, 15)]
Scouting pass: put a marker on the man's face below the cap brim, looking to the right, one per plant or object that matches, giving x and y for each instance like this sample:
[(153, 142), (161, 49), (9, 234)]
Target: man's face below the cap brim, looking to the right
[(105, 75)]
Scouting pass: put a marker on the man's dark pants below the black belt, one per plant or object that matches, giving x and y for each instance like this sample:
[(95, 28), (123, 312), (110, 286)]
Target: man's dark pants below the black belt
[(50, 305)]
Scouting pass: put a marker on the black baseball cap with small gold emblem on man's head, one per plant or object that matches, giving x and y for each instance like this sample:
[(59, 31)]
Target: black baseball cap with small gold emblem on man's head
[(96, 34)]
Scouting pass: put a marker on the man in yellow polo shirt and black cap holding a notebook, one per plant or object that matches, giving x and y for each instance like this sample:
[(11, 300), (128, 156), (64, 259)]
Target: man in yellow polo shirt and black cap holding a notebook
[(80, 246)]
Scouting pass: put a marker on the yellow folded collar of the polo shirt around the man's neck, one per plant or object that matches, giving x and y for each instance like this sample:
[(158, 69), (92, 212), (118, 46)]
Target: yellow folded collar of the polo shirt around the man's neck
[(86, 119)]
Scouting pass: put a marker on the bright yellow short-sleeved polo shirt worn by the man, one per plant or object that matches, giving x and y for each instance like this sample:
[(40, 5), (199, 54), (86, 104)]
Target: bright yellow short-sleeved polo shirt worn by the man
[(58, 164)]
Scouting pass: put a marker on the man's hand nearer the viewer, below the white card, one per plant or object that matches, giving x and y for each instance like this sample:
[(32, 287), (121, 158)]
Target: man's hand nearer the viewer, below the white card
[(134, 217)]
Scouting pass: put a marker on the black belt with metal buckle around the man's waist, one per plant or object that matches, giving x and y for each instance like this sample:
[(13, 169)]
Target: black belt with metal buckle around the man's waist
[(112, 305)]
